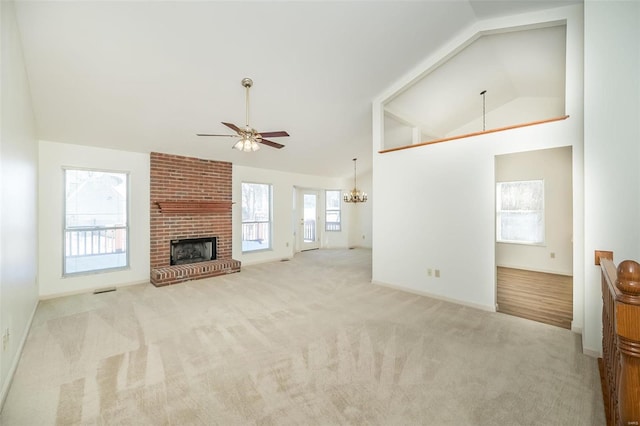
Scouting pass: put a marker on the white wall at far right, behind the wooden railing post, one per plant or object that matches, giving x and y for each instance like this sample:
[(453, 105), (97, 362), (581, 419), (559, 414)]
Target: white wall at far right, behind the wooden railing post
[(612, 145)]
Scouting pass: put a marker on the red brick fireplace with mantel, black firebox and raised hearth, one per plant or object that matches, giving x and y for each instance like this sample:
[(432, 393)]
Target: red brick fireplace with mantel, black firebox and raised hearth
[(190, 200)]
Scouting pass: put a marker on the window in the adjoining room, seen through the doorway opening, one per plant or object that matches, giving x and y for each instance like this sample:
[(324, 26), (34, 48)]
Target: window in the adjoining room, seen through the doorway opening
[(520, 212)]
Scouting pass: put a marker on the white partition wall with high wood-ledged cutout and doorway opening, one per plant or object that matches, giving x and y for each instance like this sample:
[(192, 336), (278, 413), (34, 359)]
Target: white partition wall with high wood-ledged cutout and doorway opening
[(435, 205)]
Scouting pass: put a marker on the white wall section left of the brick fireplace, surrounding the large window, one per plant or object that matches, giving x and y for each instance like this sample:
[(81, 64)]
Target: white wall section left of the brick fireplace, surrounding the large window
[(53, 157)]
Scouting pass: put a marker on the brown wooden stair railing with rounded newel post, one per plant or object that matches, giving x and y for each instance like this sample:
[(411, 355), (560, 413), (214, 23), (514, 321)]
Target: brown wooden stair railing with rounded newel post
[(621, 341)]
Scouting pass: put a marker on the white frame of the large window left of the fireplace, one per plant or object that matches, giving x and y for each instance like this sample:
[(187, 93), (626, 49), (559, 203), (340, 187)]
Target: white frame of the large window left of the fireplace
[(92, 229)]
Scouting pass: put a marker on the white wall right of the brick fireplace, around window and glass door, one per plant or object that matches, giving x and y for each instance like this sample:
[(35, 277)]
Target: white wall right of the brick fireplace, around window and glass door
[(283, 212)]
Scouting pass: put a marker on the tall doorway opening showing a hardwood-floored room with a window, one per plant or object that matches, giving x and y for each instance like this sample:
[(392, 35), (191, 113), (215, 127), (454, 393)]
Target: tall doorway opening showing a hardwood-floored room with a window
[(534, 235)]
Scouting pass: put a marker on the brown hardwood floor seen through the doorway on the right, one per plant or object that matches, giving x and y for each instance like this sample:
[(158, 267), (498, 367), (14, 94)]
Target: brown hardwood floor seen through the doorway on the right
[(537, 296)]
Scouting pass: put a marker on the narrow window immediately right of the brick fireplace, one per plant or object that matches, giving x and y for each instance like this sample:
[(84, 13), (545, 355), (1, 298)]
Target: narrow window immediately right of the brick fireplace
[(256, 216)]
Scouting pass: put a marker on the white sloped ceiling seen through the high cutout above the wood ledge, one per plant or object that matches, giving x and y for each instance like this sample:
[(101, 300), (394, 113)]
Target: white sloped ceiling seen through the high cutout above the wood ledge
[(527, 64)]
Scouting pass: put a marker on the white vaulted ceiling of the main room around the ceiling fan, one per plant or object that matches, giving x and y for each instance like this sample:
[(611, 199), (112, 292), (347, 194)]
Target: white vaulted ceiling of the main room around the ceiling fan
[(147, 76)]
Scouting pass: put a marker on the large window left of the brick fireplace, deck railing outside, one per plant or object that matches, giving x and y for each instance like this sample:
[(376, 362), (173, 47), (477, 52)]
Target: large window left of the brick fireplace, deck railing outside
[(96, 232)]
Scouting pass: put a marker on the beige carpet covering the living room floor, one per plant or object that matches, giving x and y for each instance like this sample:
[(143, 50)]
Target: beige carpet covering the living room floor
[(305, 342)]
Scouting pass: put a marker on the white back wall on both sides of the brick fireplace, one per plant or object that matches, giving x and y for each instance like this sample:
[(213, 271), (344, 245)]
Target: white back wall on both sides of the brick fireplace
[(54, 156)]
